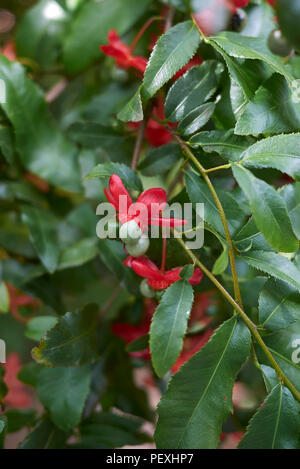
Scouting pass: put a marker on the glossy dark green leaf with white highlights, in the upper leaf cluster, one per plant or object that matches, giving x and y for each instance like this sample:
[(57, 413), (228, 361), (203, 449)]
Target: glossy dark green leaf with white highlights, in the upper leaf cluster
[(192, 89)]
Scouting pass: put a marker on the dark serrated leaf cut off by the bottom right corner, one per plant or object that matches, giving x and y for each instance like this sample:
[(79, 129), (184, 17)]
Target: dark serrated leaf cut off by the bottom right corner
[(276, 425)]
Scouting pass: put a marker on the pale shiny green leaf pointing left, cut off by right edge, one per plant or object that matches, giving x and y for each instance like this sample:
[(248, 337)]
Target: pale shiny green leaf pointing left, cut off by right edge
[(281, 152)]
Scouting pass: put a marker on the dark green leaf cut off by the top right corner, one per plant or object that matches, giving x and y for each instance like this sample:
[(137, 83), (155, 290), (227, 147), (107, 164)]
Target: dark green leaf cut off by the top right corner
[(288, 13)]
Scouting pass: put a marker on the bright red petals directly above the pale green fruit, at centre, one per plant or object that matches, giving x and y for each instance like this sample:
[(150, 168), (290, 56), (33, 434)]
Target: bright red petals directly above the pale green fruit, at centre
[(146, 210)]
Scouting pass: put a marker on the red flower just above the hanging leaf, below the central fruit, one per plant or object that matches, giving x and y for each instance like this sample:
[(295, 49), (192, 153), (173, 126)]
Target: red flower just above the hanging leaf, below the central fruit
[(157, 279)]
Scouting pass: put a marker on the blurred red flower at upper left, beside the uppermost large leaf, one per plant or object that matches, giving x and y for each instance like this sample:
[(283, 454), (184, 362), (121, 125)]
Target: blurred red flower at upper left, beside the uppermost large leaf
[(122, 53)]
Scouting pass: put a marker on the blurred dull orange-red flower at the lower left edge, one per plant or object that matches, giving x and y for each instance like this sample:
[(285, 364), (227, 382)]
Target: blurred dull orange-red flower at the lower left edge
[(16, 396)]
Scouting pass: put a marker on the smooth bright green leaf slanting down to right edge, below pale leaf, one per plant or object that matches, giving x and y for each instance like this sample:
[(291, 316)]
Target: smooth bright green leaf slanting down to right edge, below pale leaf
[(269, 211)]
